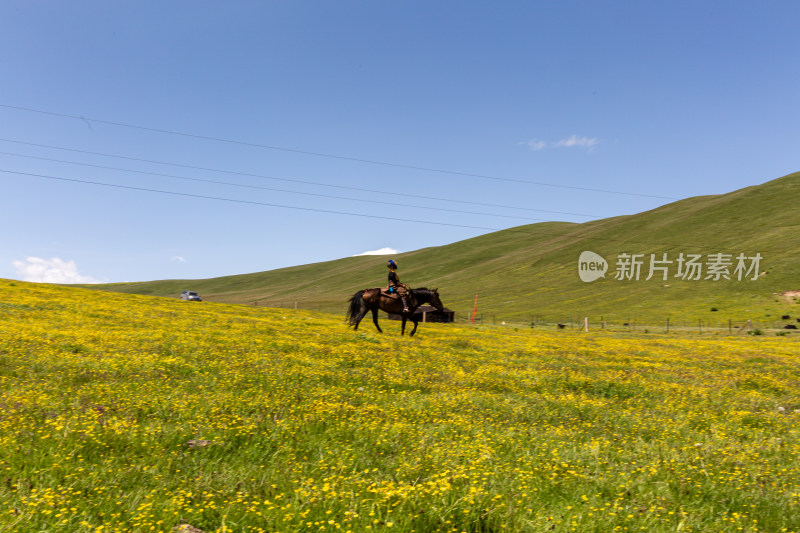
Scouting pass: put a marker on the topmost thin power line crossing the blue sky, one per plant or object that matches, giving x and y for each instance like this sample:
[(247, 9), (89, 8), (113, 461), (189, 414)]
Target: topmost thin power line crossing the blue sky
[(331, 156)]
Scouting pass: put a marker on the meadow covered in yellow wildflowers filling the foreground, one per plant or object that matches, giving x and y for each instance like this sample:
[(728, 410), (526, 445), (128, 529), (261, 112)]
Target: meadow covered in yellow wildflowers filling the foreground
[(132, 413)]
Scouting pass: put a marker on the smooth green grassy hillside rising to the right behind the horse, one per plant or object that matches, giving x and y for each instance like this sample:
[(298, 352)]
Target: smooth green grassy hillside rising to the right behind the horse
[(531, 271)]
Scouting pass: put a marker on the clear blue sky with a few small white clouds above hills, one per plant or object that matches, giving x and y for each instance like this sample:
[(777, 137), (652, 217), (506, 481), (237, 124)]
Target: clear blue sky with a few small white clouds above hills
[(286, 133)]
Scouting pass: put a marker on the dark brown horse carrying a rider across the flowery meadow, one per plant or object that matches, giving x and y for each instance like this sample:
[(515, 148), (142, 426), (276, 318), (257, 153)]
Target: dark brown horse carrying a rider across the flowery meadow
[(374, 299)]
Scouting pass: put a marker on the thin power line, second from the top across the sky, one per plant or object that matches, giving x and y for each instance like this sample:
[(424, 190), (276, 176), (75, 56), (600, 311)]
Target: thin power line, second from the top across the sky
[(290, 180)]
